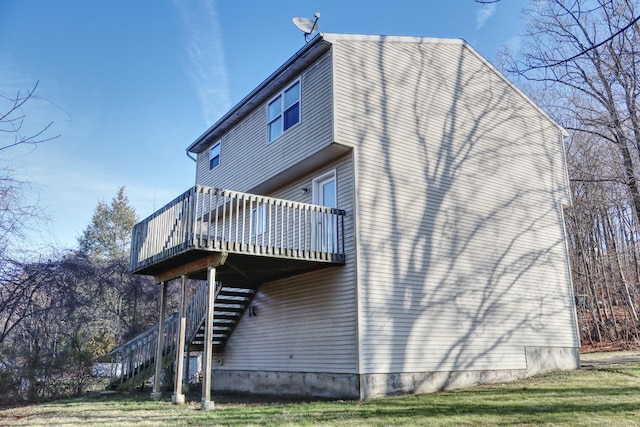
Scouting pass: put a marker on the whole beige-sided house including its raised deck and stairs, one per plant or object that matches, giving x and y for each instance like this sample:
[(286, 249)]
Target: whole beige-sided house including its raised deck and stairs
[(381, 215)]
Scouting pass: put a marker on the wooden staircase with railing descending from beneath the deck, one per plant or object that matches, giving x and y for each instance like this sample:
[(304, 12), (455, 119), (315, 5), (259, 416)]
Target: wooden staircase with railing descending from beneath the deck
[(134, 362)]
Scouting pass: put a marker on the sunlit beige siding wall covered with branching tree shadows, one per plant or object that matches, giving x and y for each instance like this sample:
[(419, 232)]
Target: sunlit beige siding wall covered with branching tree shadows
[(460, 183)]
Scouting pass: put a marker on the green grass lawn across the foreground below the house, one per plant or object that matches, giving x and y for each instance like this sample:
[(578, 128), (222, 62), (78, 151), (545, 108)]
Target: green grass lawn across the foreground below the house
[(601, 396)]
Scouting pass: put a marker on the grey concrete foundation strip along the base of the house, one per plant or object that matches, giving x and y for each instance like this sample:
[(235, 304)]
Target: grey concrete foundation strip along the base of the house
[(352, 386)]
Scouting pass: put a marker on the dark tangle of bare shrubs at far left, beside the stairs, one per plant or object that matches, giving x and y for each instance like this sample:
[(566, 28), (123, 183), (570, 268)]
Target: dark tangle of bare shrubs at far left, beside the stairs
[(51, 334)]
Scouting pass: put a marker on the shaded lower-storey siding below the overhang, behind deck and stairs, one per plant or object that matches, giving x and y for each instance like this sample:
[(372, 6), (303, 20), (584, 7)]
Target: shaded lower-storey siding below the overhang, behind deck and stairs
[(305, 323)]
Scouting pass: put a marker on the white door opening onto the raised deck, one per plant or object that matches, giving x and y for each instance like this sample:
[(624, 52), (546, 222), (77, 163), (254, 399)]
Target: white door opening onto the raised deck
[(324, 230)]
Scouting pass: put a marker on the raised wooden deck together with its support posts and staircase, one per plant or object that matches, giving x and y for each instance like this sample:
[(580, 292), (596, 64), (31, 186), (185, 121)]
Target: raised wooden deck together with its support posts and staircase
[(249, 239)]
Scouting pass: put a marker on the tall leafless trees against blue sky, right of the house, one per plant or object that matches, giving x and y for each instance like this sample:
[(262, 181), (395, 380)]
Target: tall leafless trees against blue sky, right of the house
[(582, 56)]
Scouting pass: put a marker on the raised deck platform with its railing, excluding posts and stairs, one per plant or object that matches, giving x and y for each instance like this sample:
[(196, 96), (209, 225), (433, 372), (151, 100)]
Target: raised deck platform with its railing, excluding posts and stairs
[(262, 238)]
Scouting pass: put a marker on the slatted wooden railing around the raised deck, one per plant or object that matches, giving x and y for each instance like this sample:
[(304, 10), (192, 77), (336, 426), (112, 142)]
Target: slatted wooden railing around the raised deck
[(213, 219)]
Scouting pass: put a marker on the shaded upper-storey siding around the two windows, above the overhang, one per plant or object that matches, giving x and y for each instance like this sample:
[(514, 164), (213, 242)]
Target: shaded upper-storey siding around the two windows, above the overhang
[(247, 159)]
